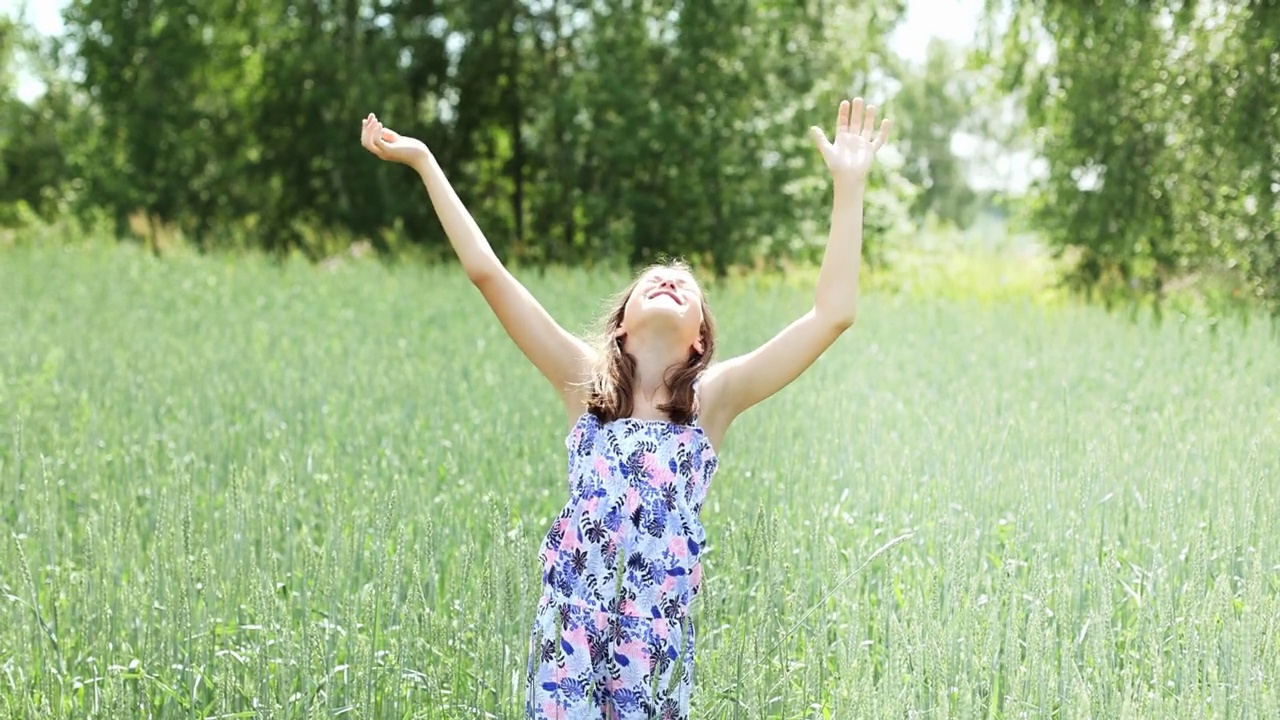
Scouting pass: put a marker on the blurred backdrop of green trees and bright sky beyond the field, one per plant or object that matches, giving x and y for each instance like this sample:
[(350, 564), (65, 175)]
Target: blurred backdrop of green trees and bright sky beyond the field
[(1119, 149)]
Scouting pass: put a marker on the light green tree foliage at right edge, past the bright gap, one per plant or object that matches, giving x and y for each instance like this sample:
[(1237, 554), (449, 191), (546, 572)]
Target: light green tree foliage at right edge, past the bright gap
[(1162, 129)]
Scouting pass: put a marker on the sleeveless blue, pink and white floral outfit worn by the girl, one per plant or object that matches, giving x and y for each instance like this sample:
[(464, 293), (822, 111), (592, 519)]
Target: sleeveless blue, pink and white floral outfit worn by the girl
[(612, 639)]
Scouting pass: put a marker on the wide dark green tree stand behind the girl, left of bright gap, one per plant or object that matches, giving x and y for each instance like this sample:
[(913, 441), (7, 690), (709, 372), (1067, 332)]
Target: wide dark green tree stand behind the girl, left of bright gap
[(575, 131)]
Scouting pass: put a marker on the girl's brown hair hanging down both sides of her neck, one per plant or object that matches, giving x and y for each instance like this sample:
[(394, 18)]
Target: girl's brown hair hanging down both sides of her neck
[(612, 386)]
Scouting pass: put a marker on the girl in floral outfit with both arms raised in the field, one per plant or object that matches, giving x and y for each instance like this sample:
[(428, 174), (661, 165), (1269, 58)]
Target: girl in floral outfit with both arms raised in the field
[(646, 411)]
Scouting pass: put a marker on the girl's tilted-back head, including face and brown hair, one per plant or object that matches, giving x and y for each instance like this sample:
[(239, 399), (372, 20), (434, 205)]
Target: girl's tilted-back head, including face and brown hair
[(666, 308)]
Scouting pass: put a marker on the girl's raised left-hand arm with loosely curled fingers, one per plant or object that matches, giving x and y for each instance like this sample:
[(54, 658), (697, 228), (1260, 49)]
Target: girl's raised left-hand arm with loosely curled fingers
[(560, 357)]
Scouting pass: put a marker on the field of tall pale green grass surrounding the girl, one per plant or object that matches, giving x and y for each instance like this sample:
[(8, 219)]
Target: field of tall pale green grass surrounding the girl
[(241, 490)]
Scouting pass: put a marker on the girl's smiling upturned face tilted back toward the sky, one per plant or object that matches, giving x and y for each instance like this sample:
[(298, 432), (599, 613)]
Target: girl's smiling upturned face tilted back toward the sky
[(670, 302)]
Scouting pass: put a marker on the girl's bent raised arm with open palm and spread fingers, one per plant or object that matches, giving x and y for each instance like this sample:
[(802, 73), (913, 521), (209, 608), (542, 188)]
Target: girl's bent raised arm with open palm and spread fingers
[(732, 388)]
